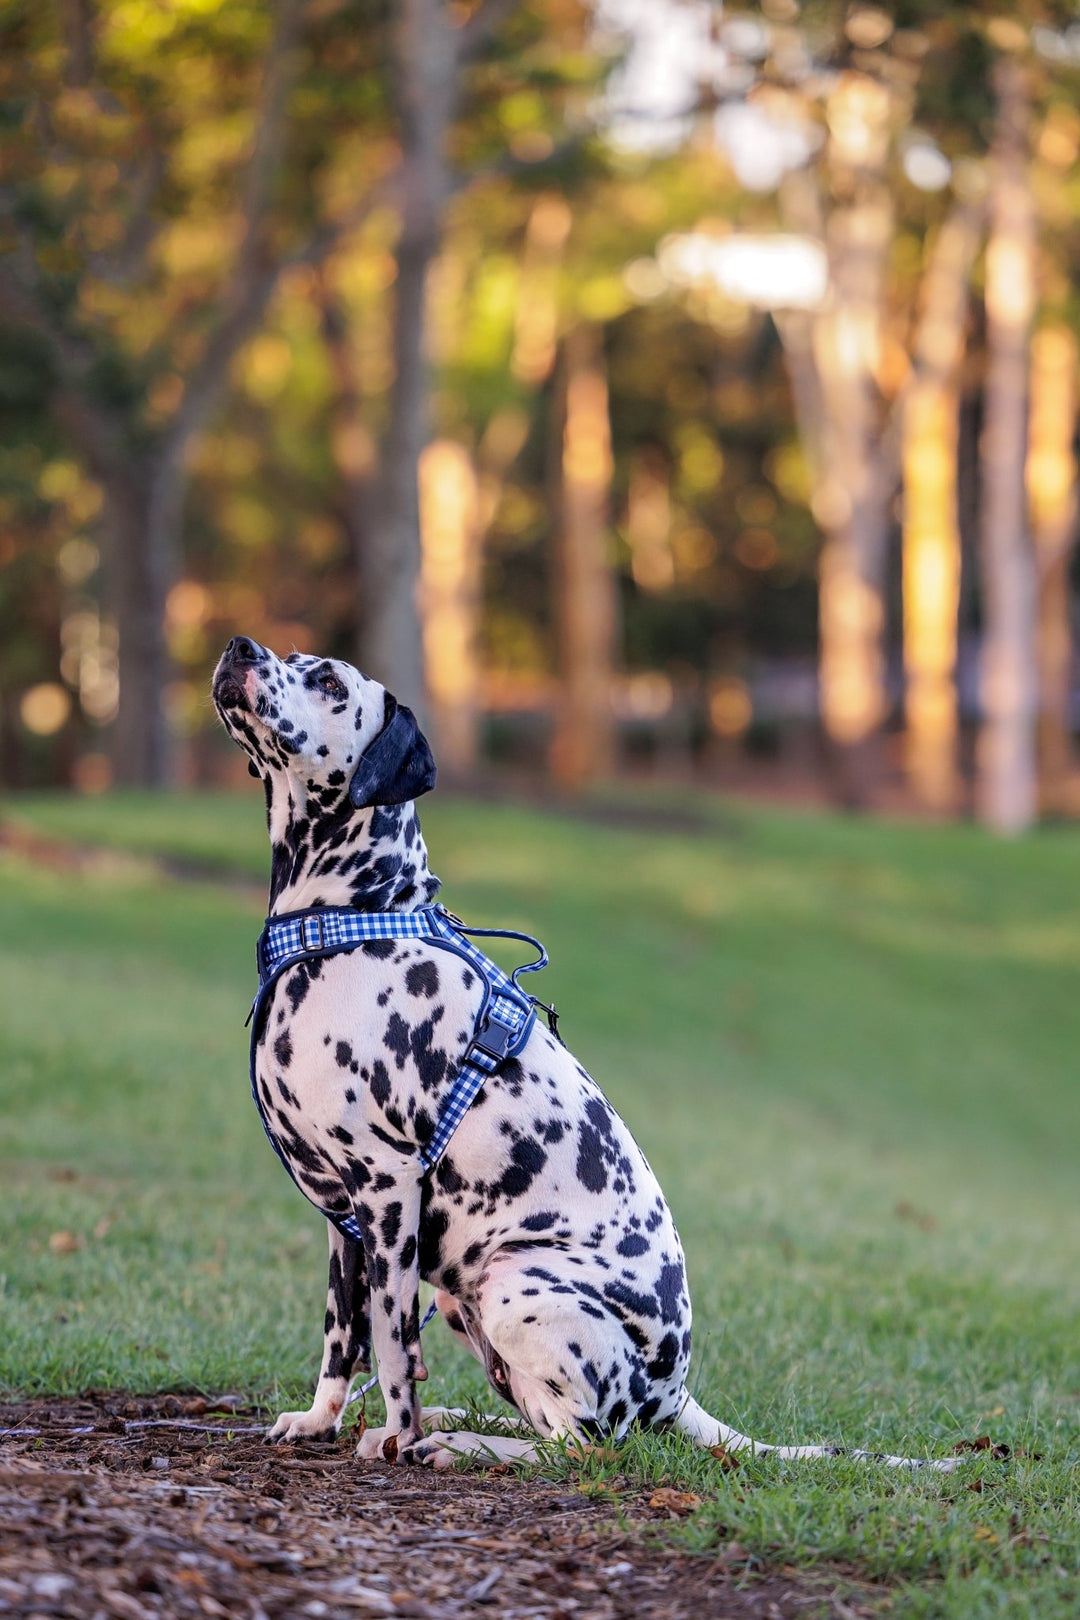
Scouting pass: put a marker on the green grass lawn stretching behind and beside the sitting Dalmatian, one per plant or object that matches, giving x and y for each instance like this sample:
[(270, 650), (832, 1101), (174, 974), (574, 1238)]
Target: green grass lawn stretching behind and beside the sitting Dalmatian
[(851, 1052)]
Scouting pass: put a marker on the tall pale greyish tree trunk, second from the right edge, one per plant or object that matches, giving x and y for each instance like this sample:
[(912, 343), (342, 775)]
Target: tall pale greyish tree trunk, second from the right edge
[(1006, 791)]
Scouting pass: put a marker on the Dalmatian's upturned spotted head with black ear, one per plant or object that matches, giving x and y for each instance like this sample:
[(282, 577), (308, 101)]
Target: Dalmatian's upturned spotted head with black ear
[(325, 723)]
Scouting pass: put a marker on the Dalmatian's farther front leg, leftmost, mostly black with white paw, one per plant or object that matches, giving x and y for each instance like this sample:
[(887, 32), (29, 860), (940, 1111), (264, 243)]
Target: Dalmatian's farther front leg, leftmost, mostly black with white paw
[(346, 1345)]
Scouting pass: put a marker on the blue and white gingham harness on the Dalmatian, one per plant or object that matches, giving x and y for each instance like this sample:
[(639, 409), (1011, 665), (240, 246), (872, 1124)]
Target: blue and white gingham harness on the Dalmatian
[(503, 1025)]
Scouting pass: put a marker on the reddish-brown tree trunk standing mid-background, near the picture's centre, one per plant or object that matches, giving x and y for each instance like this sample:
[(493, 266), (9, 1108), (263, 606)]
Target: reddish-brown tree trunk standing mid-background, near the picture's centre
[(584, 748)]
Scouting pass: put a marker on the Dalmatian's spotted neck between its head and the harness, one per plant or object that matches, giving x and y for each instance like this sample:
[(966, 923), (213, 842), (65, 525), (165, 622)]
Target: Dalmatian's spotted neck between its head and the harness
[(373, 859)]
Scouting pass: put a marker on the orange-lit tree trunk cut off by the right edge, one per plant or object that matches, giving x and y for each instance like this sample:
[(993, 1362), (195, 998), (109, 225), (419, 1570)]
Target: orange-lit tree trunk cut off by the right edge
[(1052, 477)]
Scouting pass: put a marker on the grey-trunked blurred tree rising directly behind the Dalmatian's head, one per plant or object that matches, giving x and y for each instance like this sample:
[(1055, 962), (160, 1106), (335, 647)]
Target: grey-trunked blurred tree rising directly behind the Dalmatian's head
[(459, 92)]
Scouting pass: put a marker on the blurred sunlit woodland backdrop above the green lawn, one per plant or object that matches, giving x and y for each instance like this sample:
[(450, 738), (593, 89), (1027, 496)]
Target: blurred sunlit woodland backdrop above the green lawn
[(642, 388)]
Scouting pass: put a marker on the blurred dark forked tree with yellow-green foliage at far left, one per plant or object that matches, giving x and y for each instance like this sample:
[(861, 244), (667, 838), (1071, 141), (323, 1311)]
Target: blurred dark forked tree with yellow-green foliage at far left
[(153, 202)]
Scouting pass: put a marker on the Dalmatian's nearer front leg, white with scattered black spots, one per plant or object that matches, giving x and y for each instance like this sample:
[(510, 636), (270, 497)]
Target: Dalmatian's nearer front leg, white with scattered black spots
[(391, 1224)]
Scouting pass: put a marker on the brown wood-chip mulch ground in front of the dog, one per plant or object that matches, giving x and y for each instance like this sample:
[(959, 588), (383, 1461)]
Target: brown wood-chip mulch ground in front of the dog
[(113, 1506)]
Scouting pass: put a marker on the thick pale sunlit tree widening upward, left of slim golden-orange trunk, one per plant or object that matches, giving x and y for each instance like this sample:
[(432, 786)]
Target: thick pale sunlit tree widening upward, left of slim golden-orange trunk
[(833, 93)]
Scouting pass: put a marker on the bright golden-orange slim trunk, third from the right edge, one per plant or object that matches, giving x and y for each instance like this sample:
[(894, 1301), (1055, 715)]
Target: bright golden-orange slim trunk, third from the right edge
[(932, 537)]
